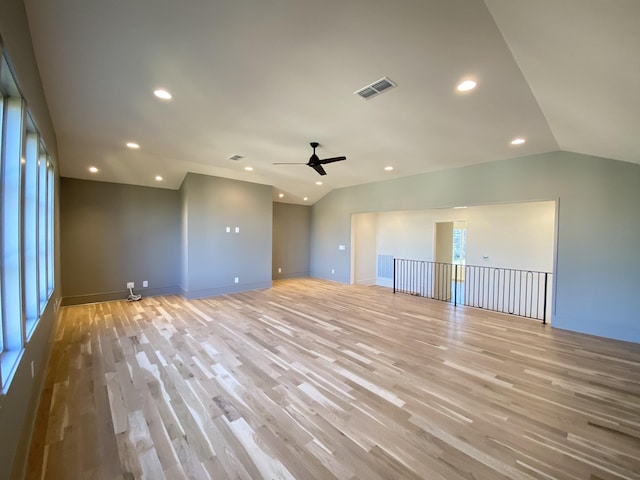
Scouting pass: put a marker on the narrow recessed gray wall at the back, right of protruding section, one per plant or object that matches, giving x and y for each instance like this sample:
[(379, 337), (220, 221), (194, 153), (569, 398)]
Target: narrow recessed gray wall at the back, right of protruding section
[(291, 240)]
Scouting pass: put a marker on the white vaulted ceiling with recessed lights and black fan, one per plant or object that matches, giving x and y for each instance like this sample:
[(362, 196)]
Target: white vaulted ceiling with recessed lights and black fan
[(263, 79)]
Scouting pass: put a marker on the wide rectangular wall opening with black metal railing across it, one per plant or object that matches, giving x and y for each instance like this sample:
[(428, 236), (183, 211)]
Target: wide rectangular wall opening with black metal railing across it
[(488, 239)]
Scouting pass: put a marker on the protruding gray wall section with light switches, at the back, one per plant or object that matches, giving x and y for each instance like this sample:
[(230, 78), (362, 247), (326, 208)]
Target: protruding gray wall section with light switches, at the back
[(214, 258)]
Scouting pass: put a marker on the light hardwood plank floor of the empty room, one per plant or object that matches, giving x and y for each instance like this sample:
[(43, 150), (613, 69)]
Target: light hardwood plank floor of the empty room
[(312, 379)]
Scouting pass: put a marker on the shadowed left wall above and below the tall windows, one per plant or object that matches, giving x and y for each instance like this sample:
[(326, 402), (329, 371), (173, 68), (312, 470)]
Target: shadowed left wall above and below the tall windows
[(18, 405)]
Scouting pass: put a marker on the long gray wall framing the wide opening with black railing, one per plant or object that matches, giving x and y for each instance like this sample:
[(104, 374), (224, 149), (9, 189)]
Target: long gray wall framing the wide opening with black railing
[(598, 261)]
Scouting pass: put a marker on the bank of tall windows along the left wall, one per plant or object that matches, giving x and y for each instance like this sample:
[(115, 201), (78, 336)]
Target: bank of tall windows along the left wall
[(27, 179)]
